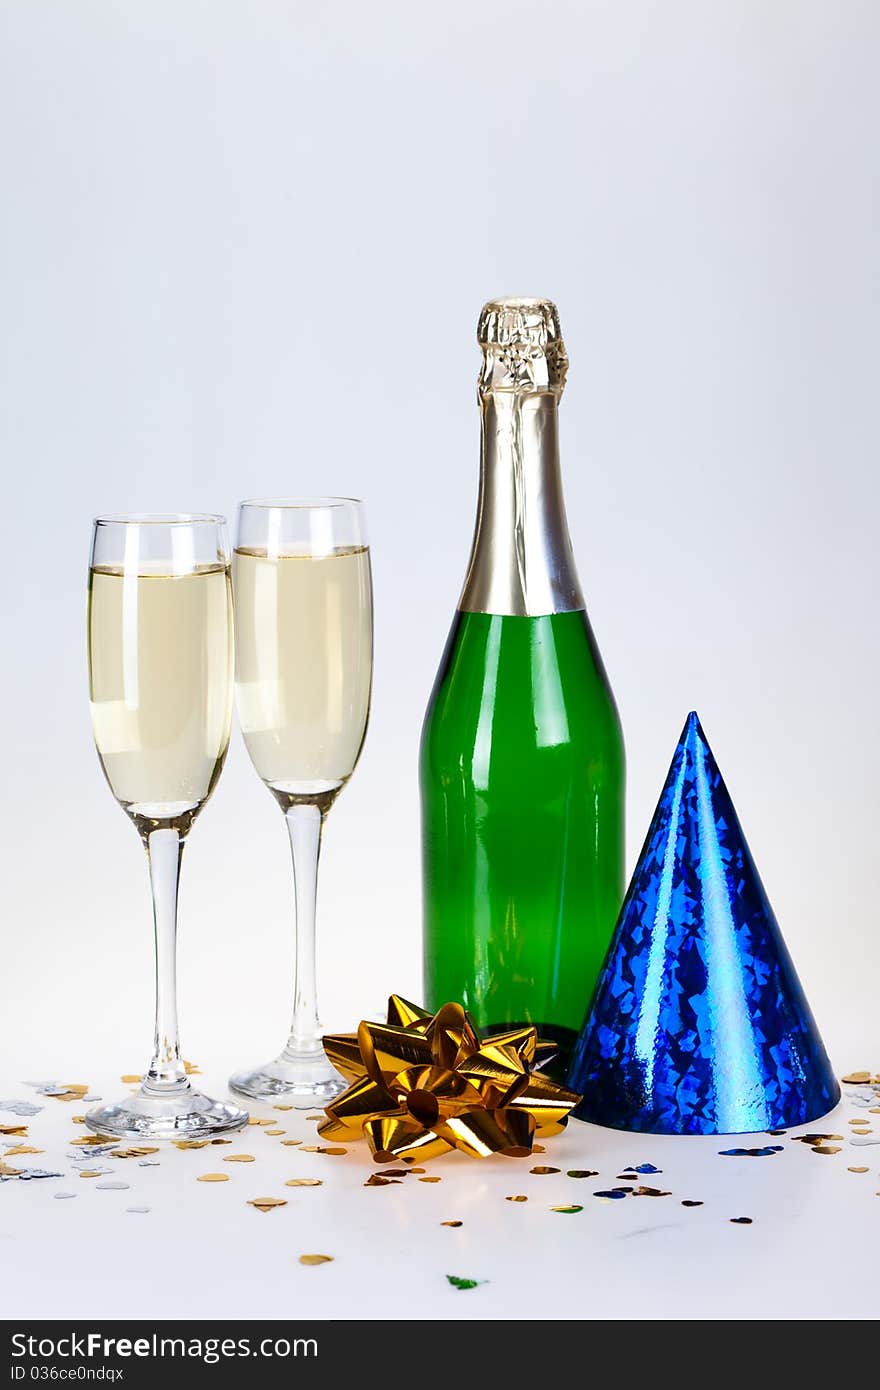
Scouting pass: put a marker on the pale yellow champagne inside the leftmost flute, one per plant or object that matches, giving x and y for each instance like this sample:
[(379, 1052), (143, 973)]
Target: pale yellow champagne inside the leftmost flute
[(161, 669)]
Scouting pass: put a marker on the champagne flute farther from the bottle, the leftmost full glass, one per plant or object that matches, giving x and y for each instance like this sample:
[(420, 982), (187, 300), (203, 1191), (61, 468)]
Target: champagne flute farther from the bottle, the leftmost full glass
[(161, 685)]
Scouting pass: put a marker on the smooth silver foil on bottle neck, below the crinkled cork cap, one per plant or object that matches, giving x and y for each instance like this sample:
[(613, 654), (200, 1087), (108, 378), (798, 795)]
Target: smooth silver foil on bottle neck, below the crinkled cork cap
[(522, 561)]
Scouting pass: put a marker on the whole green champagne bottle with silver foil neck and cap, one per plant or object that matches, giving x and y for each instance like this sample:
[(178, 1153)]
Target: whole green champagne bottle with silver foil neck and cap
[(522, 762)]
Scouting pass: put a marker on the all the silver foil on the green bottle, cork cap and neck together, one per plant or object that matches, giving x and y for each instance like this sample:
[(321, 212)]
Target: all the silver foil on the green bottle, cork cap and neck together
[(522, 562)]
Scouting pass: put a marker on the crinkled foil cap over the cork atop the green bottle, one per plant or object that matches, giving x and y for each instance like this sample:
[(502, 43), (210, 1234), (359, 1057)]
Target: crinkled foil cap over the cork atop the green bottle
[(522, 347)]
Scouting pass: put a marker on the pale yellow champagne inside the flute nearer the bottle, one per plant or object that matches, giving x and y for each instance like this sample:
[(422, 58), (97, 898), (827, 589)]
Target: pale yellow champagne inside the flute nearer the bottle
[(304, 665)]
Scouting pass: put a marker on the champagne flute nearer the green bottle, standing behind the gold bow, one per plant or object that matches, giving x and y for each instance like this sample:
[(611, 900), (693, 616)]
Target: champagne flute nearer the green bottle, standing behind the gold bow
[(304, 671)]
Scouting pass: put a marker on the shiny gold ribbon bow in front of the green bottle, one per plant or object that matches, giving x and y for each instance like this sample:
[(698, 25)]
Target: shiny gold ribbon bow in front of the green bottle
[(423, 1085)]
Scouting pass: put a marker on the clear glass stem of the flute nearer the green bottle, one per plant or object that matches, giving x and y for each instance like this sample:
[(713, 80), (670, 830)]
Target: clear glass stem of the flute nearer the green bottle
[(305, 824)]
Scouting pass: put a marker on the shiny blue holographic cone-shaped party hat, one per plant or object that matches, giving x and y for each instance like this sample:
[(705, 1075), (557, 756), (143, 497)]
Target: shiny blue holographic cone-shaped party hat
[(699, 1024)]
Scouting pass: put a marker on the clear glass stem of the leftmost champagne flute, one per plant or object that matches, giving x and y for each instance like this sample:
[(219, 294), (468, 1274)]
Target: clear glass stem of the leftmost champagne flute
[(165, 853)]
